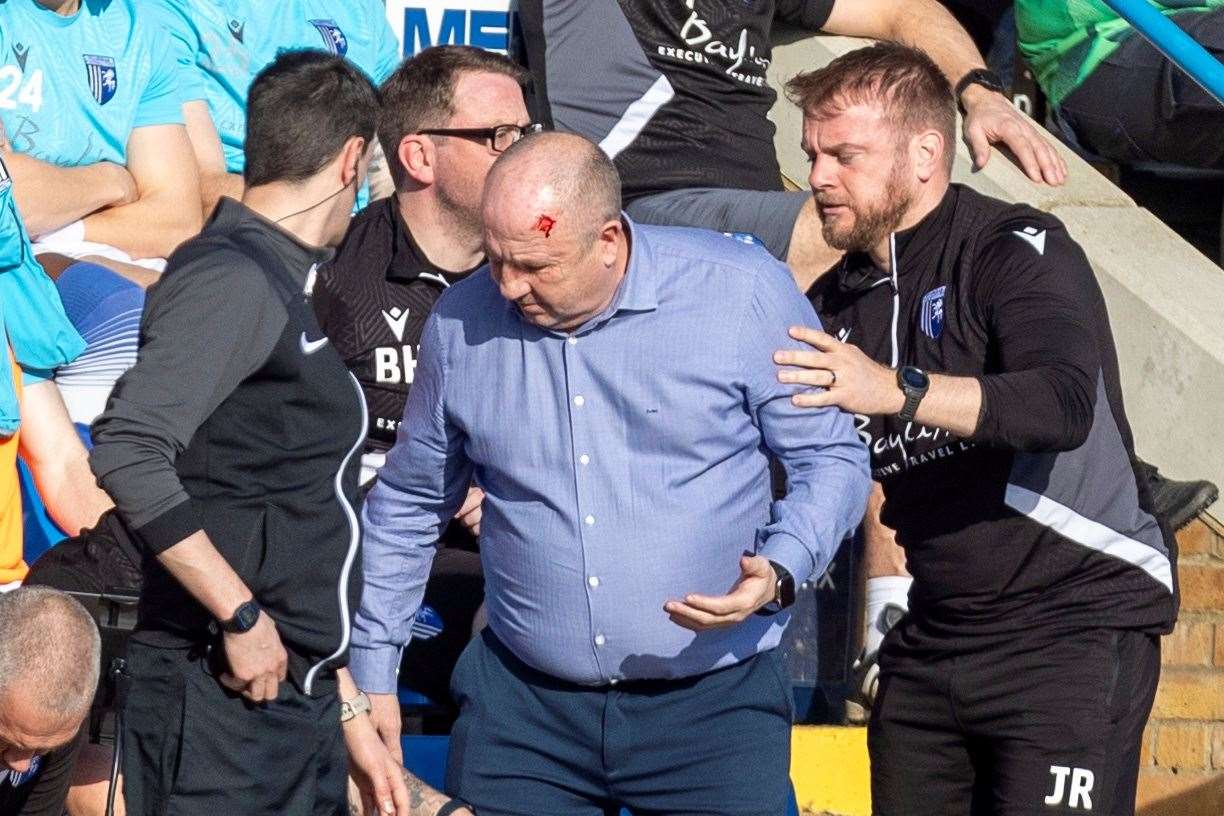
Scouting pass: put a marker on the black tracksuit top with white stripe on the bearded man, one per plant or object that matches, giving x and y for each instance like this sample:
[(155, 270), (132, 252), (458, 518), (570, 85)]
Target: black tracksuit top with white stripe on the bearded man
[(1039, 518)]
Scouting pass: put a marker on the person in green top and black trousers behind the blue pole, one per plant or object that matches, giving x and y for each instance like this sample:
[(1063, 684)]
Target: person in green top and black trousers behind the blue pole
[(1118, 96)]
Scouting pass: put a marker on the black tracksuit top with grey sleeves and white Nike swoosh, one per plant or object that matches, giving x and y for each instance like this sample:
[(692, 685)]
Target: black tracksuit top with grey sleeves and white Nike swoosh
[(241, 419)]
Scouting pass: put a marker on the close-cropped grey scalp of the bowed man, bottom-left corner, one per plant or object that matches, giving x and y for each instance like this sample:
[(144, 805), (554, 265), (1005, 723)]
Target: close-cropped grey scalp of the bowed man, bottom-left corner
[(50, 650)]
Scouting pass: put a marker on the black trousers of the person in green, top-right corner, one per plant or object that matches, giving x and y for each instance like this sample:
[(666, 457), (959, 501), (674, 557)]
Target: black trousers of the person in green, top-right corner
[(1139, 107)]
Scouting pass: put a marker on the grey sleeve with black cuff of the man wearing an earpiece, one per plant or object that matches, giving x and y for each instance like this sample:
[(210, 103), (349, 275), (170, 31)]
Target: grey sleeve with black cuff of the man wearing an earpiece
[(190, 363)]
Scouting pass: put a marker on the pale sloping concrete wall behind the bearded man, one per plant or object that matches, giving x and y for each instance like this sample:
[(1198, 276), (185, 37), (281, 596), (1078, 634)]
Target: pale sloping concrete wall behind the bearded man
[(1166, 300)]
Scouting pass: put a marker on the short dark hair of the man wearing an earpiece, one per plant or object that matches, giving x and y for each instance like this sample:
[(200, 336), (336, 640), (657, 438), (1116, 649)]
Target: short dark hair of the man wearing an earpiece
[(300, 112)]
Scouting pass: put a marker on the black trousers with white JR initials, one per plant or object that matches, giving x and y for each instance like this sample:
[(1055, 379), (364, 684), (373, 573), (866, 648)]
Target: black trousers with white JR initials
[(1040, 724)]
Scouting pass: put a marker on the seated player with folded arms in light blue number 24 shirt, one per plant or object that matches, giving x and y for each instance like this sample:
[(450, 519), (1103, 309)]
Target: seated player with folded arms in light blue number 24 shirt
[(95, 130)]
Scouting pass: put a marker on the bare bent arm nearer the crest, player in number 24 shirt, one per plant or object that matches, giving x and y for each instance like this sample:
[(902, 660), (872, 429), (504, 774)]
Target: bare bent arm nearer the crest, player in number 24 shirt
[(168, 211)]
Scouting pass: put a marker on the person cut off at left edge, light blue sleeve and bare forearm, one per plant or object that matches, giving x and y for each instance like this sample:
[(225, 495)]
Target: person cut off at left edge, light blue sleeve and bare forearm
[(34, 423)]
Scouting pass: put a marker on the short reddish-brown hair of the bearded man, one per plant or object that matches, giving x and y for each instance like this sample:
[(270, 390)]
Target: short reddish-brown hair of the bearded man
[(915, 94)]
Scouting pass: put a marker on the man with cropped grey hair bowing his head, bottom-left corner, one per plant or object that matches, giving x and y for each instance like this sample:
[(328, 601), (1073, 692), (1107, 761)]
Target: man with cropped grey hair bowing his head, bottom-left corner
[(50, 664)]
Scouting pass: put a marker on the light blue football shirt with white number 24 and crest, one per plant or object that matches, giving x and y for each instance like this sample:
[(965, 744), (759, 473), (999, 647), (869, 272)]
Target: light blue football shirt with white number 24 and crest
[(73, 90)]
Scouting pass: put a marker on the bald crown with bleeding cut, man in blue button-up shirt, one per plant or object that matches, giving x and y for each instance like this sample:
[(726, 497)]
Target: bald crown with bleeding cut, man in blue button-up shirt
[(558, 184)]
